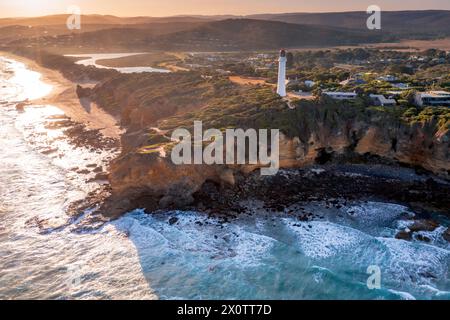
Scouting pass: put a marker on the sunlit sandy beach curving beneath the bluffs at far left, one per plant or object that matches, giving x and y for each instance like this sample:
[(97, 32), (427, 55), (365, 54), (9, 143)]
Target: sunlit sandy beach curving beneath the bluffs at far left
[(63, 96)]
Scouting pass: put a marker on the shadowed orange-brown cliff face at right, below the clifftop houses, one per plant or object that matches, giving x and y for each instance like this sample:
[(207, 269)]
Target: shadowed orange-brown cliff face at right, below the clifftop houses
[(418, 145)]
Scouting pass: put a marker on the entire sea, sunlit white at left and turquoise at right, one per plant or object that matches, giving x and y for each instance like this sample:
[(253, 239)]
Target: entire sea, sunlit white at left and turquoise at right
[(259, 254)]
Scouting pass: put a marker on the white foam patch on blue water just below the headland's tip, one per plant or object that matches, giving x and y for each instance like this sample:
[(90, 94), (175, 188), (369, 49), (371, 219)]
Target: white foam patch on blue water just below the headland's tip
[(231, 245)]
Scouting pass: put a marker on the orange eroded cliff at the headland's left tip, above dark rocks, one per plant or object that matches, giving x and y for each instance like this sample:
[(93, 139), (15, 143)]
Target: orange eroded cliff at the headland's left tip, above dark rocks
[(161, 182)]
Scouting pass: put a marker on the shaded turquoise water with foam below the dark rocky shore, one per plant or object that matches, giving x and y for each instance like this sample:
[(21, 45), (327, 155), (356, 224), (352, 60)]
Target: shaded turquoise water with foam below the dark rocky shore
[(274, 256)]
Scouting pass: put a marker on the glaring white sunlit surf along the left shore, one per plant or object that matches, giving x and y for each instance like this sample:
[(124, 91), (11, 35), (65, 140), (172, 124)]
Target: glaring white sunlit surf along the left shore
[(34, 193)]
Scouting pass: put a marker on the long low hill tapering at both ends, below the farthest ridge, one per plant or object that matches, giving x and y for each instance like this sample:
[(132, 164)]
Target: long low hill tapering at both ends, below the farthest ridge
[(226, 35)]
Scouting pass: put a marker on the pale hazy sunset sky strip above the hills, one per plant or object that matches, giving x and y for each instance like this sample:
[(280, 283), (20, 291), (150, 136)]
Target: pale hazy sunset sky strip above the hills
[(15, 8)]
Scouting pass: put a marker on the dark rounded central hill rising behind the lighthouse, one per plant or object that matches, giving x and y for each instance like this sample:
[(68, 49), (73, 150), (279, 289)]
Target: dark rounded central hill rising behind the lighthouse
[(249, 34)]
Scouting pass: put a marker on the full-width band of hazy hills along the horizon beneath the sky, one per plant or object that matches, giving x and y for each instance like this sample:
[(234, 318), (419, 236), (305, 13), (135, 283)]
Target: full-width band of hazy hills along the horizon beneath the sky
[(200, 33)]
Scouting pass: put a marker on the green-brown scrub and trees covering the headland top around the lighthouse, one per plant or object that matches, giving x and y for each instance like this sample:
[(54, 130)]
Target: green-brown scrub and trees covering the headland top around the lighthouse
[(177, 99)]
